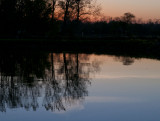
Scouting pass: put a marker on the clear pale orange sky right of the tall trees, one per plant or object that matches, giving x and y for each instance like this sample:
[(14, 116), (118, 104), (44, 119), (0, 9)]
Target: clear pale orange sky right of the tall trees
[(145, 9)]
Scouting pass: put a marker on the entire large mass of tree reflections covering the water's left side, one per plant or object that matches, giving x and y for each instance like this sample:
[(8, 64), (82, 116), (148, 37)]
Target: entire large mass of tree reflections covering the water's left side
[(64, 77)]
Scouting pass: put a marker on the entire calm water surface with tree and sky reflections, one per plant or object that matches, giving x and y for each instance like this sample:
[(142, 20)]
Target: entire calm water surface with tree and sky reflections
[(78, 87)]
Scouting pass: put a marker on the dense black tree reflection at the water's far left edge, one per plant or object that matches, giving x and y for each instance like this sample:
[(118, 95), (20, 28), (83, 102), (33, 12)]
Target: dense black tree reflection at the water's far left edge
[(17, 81)]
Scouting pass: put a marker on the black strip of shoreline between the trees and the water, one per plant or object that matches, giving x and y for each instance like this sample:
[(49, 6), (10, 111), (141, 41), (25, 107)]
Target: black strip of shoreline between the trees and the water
[(133, 47)]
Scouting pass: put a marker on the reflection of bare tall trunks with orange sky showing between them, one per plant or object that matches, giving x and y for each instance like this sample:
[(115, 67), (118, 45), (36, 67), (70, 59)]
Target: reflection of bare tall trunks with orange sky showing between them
[(71, 74)]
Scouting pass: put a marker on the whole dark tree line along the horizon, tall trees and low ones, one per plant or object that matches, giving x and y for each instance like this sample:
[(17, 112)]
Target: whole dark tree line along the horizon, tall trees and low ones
[(67, 18)]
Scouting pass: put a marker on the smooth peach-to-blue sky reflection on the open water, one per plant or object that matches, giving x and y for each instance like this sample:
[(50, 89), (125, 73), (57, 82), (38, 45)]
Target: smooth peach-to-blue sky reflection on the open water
[(117, 93)]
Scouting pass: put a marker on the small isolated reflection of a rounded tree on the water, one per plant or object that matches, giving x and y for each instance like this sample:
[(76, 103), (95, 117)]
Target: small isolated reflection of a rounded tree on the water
[(125, 60)]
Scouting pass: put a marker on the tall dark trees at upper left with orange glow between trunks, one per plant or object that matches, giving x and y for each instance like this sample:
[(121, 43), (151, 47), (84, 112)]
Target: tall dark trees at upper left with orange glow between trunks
[(30, 18)]
